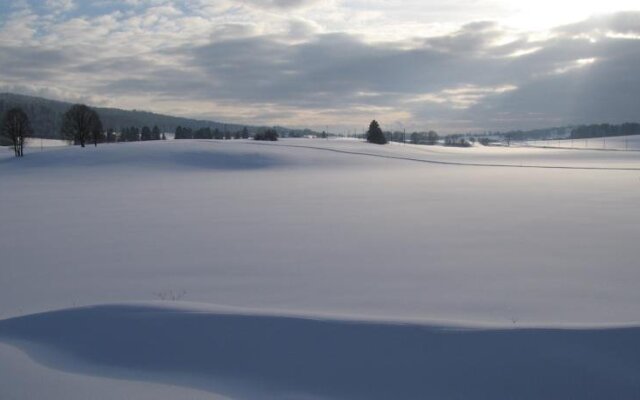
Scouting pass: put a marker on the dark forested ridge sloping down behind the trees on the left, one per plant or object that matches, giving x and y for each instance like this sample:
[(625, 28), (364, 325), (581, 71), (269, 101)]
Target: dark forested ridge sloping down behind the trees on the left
[(46, 117)]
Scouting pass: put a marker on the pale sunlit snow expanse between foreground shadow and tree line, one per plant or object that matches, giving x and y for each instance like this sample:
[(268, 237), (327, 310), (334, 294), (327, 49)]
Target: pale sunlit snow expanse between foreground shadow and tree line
[(312, 230)]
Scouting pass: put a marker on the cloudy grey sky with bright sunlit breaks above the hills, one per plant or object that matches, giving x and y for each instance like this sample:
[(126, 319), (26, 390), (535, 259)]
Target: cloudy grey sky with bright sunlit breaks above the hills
[(459, 65)]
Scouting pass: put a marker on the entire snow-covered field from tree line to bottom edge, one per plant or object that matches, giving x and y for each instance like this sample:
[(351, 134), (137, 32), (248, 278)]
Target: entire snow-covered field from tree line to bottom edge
[(319, 269)]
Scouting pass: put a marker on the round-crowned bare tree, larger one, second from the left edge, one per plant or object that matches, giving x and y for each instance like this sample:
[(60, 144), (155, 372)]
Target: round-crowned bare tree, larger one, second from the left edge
[(80, 123)]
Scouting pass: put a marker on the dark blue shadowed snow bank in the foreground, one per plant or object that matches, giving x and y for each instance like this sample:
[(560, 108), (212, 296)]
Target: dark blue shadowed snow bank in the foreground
[(248, 355)]
